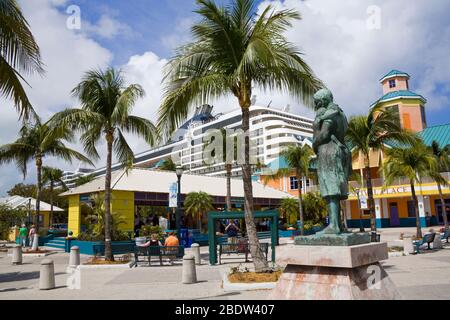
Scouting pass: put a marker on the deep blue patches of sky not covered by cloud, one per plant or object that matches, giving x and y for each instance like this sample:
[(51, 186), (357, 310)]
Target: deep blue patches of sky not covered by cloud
[(149, 22)]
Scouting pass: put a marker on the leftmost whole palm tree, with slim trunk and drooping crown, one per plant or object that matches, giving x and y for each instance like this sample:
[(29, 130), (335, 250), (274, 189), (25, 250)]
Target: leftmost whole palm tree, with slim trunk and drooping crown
[(36, 142)]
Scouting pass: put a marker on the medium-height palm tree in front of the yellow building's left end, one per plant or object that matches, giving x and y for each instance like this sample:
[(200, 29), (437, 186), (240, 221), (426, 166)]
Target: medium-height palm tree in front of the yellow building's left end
[(106, 107)]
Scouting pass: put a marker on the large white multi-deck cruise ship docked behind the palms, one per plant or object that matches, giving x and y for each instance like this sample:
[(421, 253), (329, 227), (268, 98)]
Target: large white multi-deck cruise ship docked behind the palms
[(271, 130)]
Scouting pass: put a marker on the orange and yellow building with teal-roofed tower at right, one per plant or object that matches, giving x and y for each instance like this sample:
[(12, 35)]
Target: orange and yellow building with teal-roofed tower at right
[(393, 204)]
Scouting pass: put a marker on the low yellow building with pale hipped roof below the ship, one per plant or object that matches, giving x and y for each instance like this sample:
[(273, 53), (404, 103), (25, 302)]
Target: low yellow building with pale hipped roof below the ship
[(138, 188)]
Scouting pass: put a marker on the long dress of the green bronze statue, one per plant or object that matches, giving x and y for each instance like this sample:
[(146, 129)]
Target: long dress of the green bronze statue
[(334, 162)]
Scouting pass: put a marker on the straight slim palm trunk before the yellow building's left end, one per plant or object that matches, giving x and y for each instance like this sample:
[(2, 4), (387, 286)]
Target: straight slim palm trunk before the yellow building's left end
[(108, 245)]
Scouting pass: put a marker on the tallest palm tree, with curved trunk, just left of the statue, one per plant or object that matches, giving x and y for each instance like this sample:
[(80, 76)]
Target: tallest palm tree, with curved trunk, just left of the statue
[(233, 50)]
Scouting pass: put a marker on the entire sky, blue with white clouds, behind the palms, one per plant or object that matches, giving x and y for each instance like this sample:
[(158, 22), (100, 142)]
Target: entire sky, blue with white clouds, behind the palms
[(349, 44)]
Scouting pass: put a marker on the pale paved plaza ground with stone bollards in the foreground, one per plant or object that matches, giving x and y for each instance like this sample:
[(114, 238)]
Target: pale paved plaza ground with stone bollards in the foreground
[(426, 275)]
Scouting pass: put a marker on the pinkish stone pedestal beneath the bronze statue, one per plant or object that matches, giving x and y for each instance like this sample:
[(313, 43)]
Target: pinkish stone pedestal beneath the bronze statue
[(334, 273)]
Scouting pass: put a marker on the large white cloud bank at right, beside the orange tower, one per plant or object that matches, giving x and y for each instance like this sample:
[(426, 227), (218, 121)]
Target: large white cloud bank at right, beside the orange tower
[(350, 58)]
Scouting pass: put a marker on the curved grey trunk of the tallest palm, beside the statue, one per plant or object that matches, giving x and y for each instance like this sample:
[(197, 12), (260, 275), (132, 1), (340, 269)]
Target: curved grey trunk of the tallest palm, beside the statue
[(259, 261)]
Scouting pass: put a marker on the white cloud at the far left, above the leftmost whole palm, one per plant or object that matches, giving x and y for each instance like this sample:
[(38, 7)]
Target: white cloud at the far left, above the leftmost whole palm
[(67, 55)]
